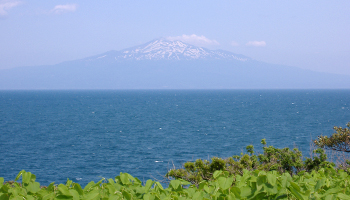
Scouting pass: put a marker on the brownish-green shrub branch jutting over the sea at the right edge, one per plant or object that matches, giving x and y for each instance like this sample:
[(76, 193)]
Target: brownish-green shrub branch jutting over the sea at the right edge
[(339, 141)]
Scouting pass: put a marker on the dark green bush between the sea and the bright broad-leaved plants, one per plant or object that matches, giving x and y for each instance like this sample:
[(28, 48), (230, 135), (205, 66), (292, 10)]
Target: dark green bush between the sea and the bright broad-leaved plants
[(282, 160)]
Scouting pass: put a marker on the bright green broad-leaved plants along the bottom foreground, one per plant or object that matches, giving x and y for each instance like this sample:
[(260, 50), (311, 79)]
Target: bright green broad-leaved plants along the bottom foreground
[(325, 183)]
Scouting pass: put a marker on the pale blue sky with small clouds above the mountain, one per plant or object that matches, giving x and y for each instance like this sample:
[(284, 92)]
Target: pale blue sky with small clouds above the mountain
[(312, 34)]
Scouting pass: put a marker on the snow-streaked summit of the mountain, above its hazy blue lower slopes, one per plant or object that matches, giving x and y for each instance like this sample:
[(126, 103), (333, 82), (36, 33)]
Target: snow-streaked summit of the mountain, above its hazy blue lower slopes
[(162, 49)]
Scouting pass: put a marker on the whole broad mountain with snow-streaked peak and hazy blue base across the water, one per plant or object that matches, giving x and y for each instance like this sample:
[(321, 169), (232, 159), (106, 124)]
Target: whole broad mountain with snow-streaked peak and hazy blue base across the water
[(165, 64)]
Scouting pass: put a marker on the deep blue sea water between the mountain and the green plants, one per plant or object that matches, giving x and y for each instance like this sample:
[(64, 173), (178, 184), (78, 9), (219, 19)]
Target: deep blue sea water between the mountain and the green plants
[(86, 135)]
